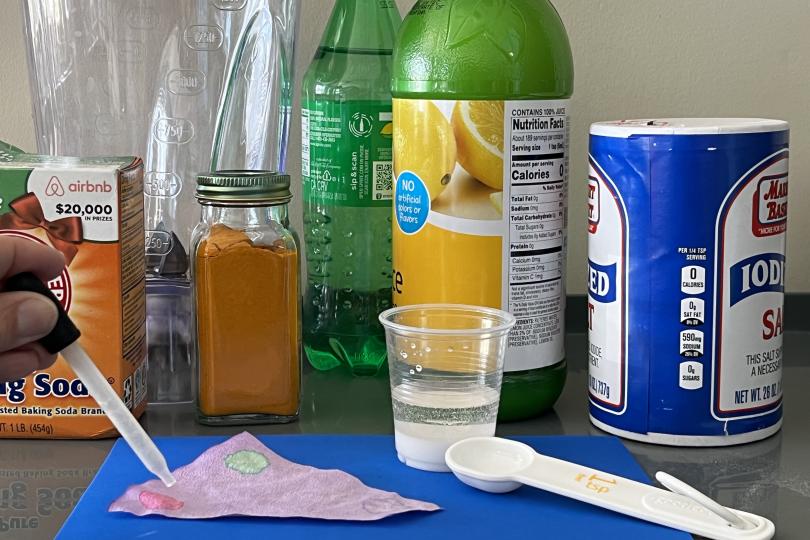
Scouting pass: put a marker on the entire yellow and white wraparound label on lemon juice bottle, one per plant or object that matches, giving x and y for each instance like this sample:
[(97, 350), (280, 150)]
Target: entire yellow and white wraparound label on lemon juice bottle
[(480, 212)]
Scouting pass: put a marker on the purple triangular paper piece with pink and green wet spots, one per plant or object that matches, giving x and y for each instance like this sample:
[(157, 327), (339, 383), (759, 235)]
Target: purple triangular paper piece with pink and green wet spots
[(242, 477)]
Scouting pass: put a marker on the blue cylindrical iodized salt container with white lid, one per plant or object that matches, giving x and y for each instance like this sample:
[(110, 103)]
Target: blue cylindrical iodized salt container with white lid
[(686, 256)]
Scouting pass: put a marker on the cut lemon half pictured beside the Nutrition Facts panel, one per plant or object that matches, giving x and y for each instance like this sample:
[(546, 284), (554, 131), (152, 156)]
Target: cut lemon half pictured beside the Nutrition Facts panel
[(478, 127)]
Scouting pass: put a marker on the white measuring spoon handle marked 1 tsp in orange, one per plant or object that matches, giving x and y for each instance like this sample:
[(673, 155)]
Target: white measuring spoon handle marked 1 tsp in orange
[(638, 500)]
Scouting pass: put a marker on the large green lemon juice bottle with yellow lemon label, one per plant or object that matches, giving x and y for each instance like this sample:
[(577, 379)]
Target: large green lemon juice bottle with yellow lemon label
[(481, 108)]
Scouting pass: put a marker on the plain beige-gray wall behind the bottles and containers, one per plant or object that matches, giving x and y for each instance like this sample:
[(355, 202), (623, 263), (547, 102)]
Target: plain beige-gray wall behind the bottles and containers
[(634, 58)]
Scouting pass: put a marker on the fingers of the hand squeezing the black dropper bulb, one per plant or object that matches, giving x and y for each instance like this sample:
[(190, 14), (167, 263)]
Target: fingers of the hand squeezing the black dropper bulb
[(25, 317)]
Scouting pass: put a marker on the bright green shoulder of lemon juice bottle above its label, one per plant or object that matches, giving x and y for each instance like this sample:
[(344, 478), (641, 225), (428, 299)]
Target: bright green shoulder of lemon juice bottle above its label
[(488, 49)]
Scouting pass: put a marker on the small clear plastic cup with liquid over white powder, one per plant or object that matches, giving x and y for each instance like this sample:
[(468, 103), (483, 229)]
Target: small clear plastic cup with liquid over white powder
[(446, 366)]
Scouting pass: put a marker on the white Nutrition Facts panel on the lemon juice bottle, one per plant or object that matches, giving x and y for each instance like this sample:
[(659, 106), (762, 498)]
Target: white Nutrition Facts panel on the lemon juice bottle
[(535, 151)]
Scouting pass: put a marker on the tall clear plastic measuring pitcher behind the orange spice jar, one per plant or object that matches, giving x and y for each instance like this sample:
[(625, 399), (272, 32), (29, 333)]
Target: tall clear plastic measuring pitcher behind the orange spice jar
[(187, 85)]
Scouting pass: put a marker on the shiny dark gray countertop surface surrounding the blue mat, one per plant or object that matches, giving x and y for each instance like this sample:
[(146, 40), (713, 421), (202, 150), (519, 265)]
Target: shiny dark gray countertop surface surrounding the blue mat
[(40, 481)]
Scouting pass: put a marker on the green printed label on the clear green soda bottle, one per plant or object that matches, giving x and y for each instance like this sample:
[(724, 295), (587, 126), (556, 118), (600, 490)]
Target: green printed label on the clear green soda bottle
[(346, 149)]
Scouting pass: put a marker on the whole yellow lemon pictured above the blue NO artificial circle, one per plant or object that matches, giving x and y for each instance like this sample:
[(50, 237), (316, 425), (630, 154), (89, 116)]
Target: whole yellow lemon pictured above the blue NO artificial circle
[(424, 144)]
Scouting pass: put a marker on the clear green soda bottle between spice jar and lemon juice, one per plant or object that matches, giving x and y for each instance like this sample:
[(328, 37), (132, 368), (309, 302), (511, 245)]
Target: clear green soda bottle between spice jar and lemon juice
[(347, 177)]
